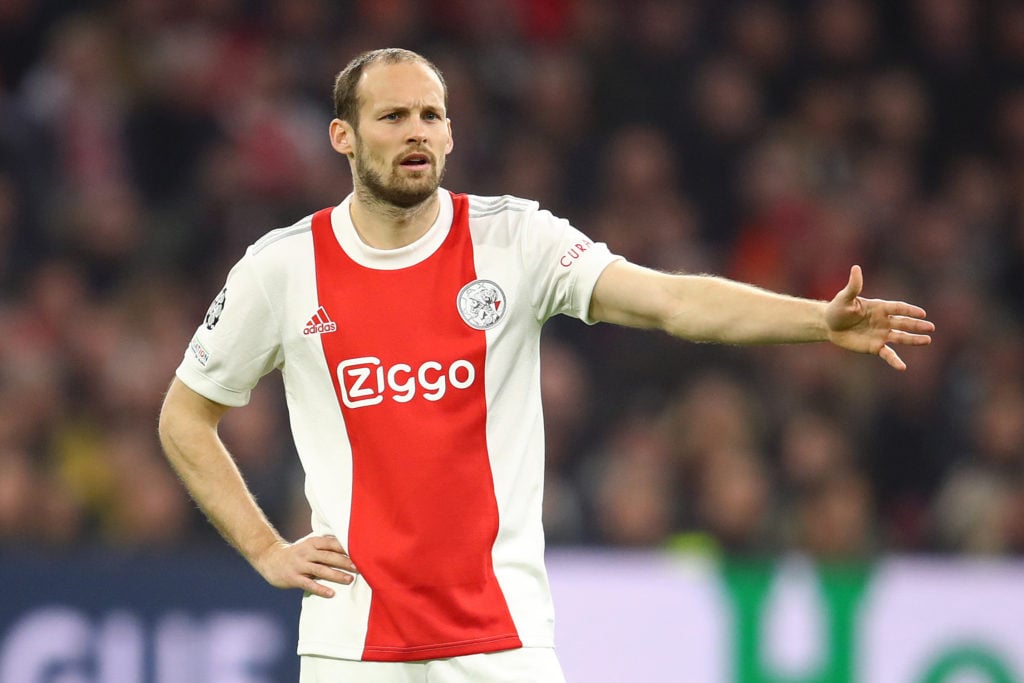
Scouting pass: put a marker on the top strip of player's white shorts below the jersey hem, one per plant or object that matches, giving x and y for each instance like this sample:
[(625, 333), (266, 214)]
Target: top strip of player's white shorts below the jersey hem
[(526, 665)]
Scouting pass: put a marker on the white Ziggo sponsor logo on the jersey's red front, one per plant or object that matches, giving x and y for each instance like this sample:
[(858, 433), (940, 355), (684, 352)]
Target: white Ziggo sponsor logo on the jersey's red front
[(366, 381)]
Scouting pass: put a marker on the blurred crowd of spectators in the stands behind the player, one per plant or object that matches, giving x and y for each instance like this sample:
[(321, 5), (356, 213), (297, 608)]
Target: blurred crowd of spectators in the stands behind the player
[(145, 144)]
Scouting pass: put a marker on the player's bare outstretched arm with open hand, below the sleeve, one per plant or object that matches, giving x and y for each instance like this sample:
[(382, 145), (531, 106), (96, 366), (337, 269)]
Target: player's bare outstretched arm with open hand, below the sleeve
[(714, 310)]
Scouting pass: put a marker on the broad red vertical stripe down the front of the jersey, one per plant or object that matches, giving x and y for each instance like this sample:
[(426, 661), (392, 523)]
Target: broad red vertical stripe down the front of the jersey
[(424, 517)]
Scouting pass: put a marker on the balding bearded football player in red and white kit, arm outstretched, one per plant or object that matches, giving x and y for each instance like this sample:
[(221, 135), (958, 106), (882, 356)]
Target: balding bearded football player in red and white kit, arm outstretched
[(406, 323)]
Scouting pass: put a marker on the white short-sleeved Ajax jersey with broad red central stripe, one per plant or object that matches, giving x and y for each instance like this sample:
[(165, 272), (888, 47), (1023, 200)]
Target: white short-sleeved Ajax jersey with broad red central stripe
[(413, 386)]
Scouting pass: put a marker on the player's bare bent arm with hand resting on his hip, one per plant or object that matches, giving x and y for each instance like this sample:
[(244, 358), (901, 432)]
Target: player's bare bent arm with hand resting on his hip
[(189, 434)]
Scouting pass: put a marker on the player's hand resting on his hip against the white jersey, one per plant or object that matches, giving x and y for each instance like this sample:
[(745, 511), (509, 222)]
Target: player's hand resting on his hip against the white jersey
[(300, 565)]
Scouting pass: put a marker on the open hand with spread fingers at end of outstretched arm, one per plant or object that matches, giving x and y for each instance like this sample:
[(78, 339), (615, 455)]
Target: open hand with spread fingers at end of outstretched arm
[(870, 326)]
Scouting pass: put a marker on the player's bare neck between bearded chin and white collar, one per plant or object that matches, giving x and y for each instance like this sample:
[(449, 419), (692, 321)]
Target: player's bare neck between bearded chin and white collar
[(383, 226)]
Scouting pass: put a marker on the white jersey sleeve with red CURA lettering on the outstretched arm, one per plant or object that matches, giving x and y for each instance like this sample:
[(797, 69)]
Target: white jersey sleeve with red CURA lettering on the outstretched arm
[(564, 266)]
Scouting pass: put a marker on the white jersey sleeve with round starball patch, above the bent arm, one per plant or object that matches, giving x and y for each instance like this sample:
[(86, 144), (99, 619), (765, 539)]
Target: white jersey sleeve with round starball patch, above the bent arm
[(238, 343)]
